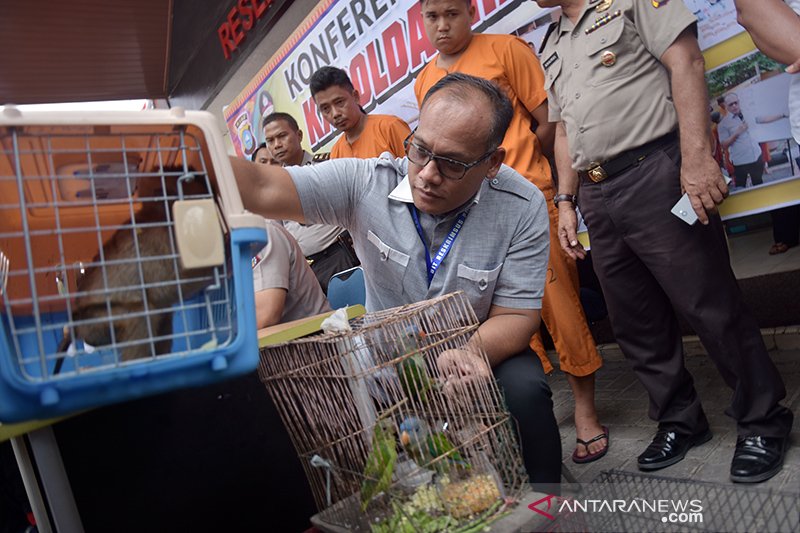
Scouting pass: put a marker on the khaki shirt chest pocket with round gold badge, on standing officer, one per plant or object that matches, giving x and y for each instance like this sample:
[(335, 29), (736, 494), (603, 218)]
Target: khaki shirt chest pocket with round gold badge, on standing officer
[(609, 55)]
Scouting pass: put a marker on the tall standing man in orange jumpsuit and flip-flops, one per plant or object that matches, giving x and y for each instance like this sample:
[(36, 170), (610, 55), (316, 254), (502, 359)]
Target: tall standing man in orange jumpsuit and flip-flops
[(509, 62)]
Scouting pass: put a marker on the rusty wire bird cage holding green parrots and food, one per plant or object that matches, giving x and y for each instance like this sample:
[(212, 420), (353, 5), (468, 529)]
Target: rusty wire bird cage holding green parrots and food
[(388, 443)]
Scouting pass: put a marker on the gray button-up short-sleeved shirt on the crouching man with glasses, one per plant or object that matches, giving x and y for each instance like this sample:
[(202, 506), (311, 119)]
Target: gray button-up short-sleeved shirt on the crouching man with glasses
[(498, 258)]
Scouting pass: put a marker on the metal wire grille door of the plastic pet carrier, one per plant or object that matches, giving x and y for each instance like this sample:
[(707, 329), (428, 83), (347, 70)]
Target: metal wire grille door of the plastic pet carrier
[(119, 183)]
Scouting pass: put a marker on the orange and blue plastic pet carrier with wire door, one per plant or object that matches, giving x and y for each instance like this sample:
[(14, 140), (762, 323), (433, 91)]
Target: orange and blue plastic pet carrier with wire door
[(124, 259)]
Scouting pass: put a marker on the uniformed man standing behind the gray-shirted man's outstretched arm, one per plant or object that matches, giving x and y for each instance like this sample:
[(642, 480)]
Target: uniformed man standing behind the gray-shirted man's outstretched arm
[(328, 249)]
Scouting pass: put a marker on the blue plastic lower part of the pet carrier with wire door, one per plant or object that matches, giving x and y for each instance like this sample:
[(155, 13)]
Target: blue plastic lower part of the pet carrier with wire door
[(30, 390)]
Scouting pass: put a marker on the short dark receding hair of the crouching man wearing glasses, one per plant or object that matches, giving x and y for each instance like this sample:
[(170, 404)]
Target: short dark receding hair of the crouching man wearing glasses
[(464, 88)]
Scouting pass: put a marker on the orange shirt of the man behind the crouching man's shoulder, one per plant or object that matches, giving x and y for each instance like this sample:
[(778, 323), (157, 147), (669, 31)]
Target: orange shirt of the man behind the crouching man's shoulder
[(382, 133)]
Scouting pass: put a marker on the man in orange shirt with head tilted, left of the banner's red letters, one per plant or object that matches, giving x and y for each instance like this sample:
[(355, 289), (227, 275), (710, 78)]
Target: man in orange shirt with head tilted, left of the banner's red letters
[(363, 135)]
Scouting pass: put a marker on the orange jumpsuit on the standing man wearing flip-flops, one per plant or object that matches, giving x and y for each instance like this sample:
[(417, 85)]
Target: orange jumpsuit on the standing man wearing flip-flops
[(509, 62)]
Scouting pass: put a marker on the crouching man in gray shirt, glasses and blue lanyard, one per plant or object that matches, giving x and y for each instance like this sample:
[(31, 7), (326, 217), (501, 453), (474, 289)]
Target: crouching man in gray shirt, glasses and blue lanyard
[(448, 217)]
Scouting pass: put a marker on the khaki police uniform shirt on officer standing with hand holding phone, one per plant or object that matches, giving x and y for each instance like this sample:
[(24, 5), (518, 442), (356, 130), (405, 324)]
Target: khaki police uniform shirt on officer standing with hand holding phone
[(604, 78)]
